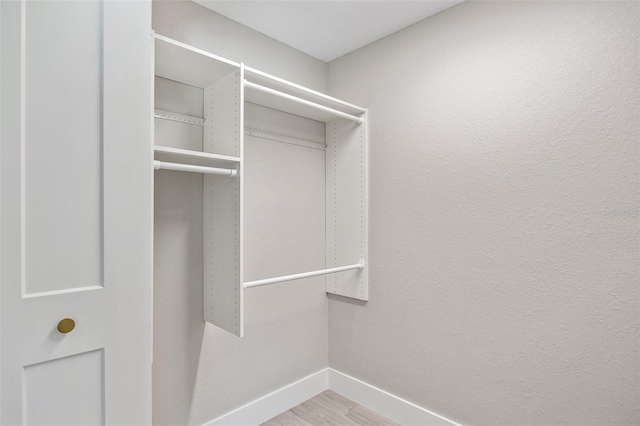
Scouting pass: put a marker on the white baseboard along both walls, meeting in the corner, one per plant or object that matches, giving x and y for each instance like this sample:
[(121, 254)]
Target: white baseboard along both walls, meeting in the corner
[(277, 402)]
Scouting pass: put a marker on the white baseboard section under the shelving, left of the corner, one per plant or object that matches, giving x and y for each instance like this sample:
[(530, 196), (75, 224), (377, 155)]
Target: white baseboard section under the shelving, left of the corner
[(277, 402)]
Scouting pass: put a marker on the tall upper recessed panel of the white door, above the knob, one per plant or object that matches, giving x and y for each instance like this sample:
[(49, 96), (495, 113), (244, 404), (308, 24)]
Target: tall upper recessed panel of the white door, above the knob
[(63, 145)]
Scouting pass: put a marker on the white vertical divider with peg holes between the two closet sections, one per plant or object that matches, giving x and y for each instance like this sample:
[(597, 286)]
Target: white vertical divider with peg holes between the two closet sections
[(222, 204)]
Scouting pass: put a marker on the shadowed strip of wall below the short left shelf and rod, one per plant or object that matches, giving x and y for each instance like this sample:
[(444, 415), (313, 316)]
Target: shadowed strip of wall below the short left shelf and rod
[(178, 325)]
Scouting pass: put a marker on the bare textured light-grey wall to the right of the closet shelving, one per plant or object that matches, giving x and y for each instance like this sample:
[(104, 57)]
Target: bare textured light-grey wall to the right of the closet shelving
[(504, 214)]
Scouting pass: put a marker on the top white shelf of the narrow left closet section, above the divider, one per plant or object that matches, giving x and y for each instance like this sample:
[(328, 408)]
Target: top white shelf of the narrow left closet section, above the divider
[(186, 64)]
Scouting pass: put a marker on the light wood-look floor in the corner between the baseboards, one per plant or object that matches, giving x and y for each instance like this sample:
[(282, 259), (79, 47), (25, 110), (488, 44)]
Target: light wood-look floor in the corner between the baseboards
[(329, 408)]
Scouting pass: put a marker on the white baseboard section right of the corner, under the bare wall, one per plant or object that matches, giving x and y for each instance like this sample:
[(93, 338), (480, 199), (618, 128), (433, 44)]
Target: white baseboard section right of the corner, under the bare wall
[(382, 402)]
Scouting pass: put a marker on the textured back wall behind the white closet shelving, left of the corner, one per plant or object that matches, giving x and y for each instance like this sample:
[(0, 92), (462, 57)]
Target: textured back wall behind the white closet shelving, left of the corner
[(200, 371)]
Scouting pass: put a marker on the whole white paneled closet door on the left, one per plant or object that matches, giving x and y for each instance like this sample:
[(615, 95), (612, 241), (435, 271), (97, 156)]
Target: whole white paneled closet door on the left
[(75, 224)]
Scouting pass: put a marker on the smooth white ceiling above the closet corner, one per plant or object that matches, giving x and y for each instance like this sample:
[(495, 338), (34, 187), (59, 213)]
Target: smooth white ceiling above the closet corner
[(327, 29)]
